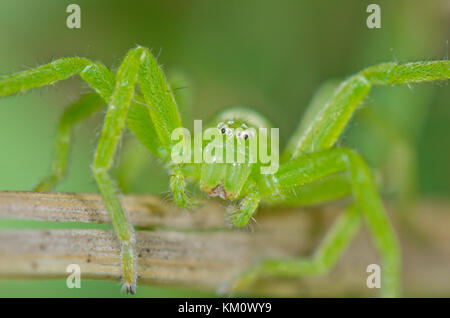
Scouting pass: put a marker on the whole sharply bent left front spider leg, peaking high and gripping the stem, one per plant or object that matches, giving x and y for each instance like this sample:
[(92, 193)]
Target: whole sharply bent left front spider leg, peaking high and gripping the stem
[(138, 66)]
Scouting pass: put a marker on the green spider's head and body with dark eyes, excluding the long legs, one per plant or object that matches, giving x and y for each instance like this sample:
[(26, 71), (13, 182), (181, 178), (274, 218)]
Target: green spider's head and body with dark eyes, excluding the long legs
[(239, 149)]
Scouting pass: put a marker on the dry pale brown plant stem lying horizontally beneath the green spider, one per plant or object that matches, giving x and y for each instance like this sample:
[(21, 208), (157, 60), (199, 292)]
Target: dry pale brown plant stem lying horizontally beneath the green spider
[(209, 253)]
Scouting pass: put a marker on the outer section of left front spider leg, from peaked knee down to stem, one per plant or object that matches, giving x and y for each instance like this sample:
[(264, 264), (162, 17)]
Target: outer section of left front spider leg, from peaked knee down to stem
[(119, 104)]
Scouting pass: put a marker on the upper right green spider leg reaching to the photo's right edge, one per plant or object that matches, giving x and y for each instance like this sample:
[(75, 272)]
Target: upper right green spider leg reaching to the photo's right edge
[(331, 109)]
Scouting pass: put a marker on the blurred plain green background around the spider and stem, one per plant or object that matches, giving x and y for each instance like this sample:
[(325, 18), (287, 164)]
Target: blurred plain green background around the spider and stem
[(269, 55)]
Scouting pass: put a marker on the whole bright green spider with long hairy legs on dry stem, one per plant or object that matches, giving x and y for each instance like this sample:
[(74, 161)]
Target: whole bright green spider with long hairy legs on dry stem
[(311, 171)]
